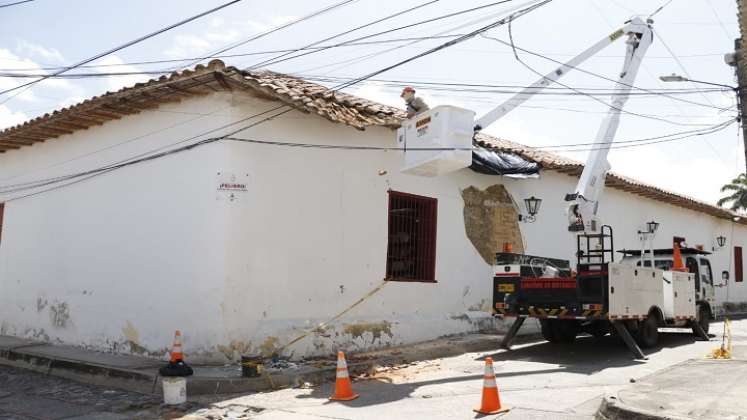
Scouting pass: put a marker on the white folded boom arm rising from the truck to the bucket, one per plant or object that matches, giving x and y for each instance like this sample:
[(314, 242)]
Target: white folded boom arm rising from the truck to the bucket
[(582, 211)]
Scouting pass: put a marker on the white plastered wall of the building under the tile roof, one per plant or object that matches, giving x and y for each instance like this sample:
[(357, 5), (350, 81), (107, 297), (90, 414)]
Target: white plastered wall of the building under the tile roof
[(119, 261)]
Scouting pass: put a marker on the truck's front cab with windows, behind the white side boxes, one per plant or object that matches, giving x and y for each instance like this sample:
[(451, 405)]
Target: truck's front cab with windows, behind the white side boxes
[(697, 262)]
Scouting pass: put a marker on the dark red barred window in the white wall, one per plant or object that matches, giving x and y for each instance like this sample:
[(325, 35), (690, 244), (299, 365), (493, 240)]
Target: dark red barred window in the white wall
[(411, 248)]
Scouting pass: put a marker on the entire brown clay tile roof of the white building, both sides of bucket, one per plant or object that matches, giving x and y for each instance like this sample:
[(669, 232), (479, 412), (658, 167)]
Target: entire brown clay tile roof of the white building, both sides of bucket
[(302, 95)]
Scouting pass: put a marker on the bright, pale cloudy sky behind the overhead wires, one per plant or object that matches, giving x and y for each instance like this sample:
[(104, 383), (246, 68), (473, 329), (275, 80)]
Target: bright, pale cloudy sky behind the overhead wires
[(692, 37)]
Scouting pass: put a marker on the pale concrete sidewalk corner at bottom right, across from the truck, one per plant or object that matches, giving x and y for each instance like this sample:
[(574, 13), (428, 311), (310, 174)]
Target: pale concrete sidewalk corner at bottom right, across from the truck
[(695, 389)]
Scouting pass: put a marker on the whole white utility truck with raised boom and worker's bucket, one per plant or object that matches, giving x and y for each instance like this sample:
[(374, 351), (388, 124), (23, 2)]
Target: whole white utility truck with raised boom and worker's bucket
[(632, 298)]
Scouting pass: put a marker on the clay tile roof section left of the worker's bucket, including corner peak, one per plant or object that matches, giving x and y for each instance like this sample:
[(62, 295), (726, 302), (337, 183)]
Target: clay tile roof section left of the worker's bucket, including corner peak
[(304, 96)]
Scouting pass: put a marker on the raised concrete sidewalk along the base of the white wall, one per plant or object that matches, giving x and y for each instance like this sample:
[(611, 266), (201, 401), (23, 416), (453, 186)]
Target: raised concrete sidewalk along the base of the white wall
[(140, 374)]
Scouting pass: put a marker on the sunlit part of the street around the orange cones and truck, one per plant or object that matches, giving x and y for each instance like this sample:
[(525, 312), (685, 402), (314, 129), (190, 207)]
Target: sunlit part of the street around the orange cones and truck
[(537, 381)]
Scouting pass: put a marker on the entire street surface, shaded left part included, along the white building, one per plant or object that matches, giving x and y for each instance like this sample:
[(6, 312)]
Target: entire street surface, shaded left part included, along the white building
[(537, 380)]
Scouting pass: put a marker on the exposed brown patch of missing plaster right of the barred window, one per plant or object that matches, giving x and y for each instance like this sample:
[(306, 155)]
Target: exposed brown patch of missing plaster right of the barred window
[(490, 220)]
